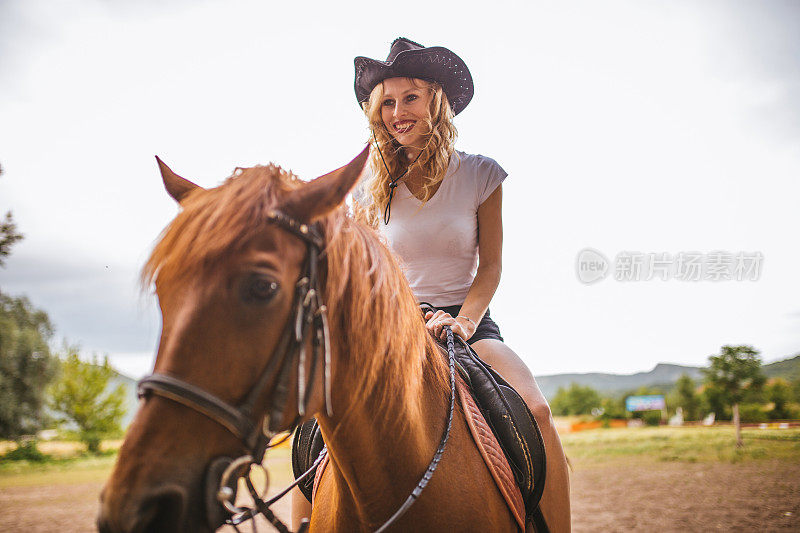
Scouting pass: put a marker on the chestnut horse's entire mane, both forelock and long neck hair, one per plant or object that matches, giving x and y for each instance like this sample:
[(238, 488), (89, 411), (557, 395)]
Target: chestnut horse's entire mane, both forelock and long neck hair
[(378, 337)]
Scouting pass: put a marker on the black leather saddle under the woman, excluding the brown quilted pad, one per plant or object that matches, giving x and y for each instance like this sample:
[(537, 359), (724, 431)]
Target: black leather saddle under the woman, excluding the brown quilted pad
[(506, 413)]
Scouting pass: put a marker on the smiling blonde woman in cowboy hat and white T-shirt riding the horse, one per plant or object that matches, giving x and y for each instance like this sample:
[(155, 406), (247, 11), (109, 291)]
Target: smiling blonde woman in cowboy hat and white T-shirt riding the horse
[(440, 211)]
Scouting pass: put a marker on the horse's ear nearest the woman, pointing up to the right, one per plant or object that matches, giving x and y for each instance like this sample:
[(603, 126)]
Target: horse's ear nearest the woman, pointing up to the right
[(324, 194)]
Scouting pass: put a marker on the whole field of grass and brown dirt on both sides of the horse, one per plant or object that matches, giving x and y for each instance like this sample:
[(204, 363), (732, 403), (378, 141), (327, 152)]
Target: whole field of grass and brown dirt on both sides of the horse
[(632, 479)]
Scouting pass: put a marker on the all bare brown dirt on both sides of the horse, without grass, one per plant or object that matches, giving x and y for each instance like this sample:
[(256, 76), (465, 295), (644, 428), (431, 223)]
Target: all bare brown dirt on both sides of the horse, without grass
[(620, 496)]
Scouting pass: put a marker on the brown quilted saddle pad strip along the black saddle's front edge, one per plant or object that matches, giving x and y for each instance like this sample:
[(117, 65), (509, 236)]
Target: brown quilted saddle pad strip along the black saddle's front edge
[(492, 453)]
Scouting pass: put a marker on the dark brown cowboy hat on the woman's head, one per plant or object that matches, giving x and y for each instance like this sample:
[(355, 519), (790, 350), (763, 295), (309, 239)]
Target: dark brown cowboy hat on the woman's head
[(408, 59)]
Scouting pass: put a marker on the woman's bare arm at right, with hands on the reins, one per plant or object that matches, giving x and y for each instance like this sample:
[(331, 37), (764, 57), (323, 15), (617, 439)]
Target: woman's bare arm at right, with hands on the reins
[(487, 278)]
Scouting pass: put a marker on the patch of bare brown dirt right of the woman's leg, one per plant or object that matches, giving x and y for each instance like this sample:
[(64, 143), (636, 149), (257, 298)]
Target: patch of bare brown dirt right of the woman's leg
[(670, 496)]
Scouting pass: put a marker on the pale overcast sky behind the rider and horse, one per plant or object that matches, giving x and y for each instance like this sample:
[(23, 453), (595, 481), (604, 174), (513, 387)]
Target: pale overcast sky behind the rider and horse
[(627, 127)]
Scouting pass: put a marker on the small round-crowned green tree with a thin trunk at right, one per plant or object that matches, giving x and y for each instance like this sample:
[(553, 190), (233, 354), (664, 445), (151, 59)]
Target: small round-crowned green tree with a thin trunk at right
[(735, 370)]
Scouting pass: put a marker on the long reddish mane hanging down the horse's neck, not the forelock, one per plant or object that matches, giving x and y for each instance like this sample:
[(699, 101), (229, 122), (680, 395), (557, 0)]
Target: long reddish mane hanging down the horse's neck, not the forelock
[(384, 339)]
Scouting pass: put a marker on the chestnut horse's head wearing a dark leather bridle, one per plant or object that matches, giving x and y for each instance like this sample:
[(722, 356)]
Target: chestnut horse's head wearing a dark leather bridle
[(226, 271)]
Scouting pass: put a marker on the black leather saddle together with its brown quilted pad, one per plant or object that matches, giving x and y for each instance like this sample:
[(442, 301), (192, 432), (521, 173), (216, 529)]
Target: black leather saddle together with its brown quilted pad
[(505, 413)]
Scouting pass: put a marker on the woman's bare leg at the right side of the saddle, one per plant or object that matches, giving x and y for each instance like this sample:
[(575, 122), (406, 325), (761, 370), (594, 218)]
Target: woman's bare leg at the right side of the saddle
[(555, 502)]
